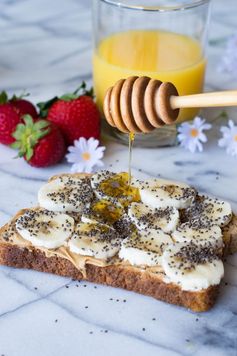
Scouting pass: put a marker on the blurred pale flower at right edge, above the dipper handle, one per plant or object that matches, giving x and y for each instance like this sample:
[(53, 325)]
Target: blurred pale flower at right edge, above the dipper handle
[(229, 59)]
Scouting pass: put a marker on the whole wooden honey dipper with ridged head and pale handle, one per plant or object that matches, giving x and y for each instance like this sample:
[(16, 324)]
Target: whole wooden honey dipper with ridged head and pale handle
[(142, 104)]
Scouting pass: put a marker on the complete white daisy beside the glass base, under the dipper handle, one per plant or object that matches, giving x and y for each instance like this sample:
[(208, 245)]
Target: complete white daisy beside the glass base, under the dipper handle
[(191, 136)]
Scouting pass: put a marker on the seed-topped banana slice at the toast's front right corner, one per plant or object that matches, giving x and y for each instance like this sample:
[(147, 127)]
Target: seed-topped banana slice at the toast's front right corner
[(191, 266)]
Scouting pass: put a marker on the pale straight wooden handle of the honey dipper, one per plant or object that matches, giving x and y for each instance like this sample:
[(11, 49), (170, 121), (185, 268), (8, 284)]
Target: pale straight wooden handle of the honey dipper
[(221, 98)]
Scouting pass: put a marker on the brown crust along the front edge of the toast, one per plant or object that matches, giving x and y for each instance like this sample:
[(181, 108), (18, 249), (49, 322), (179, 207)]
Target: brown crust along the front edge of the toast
[(125, 277)]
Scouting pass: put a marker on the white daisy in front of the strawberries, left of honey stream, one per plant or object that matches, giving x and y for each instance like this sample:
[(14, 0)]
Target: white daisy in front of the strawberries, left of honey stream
[(85, 155)]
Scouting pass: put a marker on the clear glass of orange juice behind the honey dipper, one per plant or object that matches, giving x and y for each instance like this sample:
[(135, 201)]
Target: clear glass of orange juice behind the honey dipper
[(160, 39)]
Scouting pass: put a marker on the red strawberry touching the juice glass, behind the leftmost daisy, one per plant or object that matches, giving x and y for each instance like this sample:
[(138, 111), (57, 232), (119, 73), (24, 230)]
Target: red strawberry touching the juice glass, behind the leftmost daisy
[(75, 114)]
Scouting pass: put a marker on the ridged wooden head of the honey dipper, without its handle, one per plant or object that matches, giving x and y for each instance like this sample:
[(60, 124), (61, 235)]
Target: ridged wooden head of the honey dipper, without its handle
[(140, 104)]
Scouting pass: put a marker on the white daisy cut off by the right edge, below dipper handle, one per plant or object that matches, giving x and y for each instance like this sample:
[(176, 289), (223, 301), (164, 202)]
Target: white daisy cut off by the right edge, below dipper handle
[(229, 138)]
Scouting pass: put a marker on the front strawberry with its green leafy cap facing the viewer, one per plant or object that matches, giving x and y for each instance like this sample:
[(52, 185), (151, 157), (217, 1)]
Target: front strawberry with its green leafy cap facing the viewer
[(40, 142)]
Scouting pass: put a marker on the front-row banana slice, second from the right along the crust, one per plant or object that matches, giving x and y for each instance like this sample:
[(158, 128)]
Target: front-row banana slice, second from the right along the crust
[(144, 248)]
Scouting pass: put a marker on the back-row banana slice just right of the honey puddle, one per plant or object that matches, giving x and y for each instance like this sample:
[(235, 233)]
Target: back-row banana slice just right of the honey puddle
[(161, 193)]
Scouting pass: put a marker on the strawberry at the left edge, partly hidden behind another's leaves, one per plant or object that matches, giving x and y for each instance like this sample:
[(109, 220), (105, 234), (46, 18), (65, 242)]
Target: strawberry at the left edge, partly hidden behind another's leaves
[(11, 112)]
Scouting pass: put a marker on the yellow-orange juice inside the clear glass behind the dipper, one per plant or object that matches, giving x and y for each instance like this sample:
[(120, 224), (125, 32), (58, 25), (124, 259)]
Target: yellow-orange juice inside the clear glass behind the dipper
[(157, 54)]
